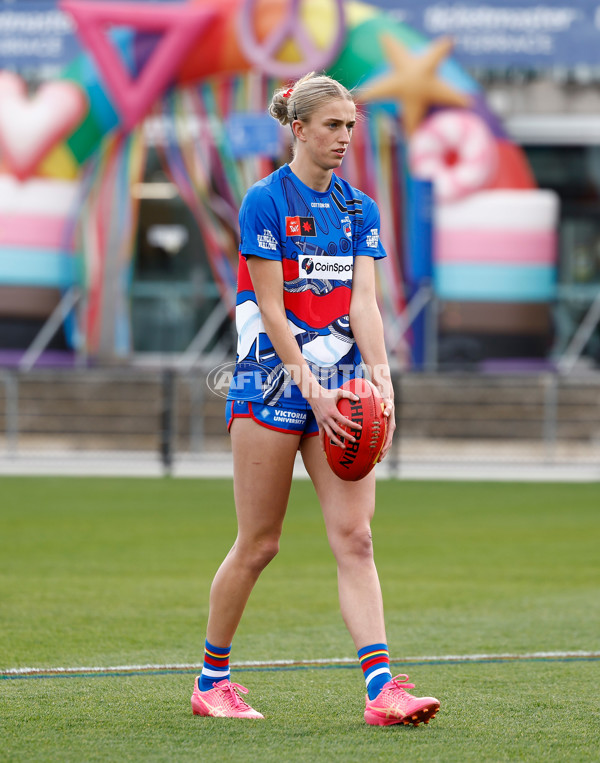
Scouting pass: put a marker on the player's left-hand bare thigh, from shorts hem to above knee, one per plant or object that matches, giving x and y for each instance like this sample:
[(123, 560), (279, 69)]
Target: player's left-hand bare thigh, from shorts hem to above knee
[(263, 464)]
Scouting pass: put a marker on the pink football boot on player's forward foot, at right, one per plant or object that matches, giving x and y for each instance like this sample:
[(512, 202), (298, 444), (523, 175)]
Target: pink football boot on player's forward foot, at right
[(394, 704)]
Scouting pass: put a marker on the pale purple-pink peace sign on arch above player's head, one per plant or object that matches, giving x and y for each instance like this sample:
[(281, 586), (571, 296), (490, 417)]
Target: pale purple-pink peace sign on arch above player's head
[(263, 54)]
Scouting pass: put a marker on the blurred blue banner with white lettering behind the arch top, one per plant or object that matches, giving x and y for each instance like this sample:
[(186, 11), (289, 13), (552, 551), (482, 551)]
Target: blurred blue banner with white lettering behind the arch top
[(489, 33)]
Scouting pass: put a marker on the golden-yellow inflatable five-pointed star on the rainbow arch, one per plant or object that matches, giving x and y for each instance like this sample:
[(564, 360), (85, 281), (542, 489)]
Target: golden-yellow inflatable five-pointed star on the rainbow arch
[(413, 81)]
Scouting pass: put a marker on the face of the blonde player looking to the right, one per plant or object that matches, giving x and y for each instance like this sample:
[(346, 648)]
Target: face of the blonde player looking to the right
[(328, 133)]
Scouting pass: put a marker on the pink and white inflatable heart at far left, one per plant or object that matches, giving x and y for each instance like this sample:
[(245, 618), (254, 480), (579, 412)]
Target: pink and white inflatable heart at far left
[(31, 126)]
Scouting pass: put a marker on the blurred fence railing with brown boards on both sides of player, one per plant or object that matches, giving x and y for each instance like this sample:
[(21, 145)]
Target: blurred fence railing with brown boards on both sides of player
[(171, 413)]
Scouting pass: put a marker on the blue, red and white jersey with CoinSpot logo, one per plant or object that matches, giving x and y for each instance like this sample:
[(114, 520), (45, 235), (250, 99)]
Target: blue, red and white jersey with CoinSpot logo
[(316, 237)]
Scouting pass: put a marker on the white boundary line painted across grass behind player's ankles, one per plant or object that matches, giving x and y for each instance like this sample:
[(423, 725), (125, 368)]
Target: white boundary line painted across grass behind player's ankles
[(289, 663)]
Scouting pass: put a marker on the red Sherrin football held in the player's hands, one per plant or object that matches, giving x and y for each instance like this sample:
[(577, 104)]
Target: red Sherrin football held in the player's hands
[(357, 459)]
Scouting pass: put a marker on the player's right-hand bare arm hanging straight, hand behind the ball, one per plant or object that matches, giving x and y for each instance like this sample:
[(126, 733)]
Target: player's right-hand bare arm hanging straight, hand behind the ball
[(367, 327)]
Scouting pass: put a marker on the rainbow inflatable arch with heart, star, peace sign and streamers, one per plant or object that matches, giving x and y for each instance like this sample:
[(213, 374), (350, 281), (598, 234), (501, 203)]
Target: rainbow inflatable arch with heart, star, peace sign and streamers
[(207, 64)]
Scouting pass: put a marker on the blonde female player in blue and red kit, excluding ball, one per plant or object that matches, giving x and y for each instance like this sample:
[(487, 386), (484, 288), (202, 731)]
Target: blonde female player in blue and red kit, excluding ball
[(306, 314)]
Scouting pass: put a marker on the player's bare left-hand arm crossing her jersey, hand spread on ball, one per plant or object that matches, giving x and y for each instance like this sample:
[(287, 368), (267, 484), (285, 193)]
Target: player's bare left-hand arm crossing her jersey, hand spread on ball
[(267, 279)]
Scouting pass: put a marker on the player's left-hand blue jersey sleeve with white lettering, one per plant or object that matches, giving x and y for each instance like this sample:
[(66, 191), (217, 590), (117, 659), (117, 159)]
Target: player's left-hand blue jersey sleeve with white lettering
[(259, 225)]
